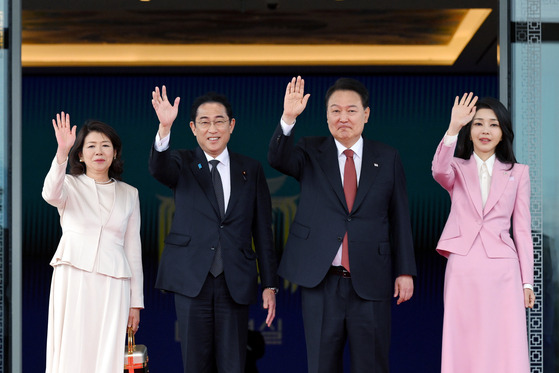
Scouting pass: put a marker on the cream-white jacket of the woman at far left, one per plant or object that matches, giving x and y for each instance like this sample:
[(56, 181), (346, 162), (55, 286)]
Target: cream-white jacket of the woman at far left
[(116, 243)]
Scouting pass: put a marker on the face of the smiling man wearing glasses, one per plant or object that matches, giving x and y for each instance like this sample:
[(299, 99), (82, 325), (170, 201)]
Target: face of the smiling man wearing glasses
[(212, 128)]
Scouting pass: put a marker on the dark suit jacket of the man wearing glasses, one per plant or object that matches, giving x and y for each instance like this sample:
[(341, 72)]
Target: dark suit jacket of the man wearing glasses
[(197, 227)]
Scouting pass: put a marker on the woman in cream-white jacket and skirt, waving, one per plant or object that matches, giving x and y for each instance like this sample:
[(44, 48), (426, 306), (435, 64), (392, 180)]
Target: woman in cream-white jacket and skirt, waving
[(97, 283)]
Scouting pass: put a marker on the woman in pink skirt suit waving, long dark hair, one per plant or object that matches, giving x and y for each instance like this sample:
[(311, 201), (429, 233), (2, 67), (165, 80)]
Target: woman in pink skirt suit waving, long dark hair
[(489, 275)]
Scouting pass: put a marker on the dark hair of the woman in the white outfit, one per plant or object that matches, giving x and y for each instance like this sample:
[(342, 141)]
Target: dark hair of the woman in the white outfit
[(77, 167)]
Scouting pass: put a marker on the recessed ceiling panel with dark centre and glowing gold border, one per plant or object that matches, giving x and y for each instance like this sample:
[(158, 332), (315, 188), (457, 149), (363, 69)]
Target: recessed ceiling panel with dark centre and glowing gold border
[(399, 37)]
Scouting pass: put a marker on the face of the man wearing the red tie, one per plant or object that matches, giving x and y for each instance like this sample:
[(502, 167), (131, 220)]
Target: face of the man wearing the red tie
[(346, 116)]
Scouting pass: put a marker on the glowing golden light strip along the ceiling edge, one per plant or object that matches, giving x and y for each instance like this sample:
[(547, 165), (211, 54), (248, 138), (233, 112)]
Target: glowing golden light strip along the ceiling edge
[(255, 54)]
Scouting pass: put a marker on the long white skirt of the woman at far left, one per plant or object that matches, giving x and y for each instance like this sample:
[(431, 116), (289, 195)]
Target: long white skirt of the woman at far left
[(88, 316)]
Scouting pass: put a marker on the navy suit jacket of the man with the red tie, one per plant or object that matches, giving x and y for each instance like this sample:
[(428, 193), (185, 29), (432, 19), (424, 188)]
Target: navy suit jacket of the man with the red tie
[(379, 230)]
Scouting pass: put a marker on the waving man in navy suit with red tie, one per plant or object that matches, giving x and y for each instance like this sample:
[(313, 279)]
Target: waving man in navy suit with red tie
[(350, 245)]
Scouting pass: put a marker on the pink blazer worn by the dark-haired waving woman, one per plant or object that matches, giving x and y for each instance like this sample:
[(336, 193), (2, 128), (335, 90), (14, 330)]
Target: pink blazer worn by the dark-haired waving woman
[(509, 196)]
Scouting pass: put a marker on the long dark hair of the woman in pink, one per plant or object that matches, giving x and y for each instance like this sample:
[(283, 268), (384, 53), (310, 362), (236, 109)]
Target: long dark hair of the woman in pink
[(504, 150)]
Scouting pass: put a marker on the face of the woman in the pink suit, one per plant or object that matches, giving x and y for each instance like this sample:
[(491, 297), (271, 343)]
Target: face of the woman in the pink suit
[(485, 133)]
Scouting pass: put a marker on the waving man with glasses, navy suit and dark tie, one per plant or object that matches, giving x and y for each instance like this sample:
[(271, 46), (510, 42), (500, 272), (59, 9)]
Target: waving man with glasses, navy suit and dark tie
[(222, 205)]
